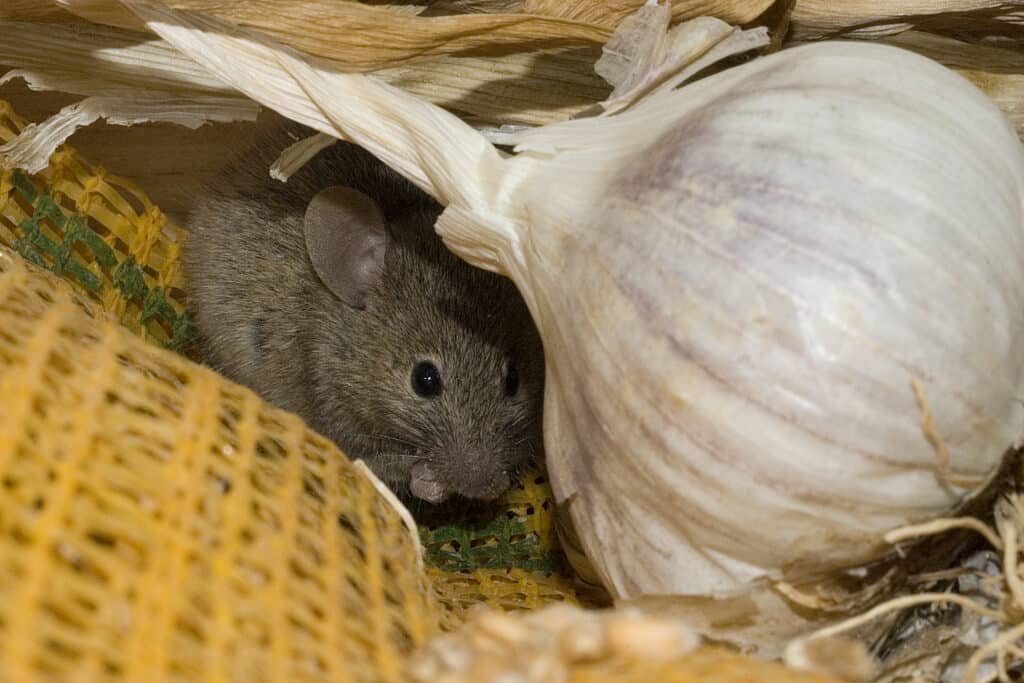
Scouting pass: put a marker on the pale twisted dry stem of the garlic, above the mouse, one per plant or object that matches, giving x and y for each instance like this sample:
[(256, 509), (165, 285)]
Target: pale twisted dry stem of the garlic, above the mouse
[(437, 151)]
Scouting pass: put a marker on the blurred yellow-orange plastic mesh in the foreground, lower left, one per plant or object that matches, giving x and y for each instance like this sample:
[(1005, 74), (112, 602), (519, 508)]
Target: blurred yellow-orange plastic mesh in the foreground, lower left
[(158, 520)]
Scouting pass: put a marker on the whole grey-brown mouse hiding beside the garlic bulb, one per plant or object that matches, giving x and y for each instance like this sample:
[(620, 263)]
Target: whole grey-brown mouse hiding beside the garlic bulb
[(332, 297)]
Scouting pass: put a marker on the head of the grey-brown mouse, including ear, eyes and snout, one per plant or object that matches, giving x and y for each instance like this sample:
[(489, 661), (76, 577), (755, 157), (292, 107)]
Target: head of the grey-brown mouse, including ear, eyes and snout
[(441, 383)]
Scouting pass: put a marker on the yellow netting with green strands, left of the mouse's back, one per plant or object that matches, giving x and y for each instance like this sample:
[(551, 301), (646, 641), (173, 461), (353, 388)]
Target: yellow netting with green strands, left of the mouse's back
[(102, 234)]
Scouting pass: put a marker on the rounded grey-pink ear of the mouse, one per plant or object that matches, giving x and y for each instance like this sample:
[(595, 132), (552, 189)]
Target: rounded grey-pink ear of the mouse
[(347, 240)]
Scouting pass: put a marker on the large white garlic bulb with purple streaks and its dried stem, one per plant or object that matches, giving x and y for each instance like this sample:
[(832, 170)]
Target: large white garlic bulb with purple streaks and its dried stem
[(783, 307)]
